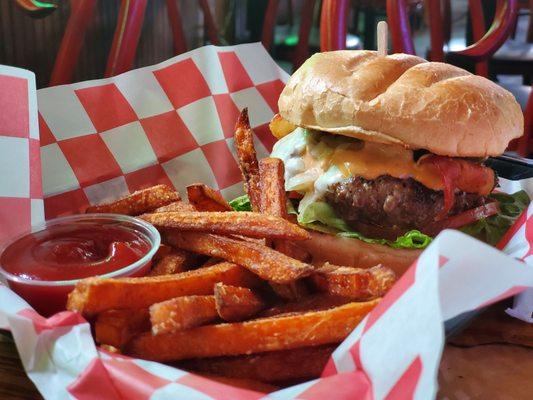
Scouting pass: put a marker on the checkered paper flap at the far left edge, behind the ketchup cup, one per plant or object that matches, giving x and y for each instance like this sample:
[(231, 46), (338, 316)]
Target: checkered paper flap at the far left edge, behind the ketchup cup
[(21, 195)]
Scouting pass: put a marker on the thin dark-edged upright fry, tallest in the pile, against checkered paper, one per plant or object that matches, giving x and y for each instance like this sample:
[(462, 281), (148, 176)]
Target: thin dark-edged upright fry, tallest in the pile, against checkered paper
[(244, 143)]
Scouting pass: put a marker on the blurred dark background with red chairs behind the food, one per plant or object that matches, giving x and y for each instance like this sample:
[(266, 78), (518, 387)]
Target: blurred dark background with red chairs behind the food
[(67, 41)]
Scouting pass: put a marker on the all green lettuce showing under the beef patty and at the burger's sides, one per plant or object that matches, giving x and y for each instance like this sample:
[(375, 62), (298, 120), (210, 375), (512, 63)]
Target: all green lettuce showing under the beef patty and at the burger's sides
[(321, 217)]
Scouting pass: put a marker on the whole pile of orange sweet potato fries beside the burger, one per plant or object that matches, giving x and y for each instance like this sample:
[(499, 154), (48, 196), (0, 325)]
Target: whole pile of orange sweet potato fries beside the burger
[(230, 293)]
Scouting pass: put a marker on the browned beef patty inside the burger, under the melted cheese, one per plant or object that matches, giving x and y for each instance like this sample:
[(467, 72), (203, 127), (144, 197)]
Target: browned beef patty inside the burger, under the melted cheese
[(396, 205)]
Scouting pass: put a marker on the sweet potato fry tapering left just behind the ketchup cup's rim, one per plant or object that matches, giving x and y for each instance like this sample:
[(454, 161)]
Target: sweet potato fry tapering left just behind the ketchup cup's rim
[(139, 202)]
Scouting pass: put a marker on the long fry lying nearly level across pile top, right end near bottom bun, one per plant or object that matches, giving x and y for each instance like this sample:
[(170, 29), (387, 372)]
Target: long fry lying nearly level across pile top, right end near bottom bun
[(227, 223)]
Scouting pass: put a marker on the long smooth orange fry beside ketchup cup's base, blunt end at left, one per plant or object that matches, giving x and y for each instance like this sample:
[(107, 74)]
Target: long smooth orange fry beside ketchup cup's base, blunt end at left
[(94, 295)]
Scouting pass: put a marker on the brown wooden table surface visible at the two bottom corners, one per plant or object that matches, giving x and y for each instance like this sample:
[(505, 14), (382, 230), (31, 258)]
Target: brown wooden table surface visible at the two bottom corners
[(491, 359)]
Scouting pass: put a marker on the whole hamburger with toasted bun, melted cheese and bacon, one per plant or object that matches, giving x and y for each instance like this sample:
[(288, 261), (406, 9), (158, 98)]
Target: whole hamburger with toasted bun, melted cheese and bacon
[(383, 153)]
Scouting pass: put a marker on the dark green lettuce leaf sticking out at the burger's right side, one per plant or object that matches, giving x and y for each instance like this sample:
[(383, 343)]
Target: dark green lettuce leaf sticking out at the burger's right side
[(491, 230)]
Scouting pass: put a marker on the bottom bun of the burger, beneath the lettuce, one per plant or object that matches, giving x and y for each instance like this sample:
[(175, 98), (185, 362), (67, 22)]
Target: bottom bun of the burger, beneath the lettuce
[(356, 253)]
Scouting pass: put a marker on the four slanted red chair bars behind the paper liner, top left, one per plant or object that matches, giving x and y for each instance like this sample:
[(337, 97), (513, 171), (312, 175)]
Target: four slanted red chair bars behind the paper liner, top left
[(127, 33)]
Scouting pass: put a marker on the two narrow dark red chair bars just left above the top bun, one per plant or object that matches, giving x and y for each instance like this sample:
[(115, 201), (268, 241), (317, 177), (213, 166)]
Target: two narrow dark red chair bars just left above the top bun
[(301, 51)]
